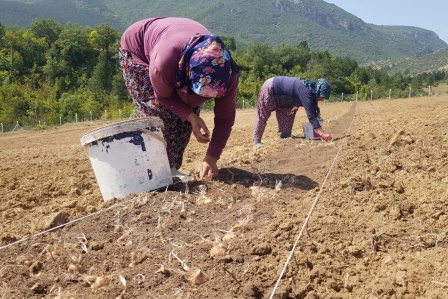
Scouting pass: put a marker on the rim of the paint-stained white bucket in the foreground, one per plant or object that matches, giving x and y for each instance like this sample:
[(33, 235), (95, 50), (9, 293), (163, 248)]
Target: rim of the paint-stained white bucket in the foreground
[(144, 124)]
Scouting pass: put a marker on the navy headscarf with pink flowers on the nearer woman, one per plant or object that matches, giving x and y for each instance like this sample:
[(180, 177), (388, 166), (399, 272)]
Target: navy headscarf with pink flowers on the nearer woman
[(205, 67)]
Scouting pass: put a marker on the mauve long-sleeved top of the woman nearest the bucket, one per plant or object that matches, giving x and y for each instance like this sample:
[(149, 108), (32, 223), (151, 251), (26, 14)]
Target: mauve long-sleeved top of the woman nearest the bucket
[(157, 43)]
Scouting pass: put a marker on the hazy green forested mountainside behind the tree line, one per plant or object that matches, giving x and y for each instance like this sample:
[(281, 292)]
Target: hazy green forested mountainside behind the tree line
[(323, 25)]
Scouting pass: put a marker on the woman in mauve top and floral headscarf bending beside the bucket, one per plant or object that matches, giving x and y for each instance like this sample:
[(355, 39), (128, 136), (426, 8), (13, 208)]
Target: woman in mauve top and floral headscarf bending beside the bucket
[(171, 66)]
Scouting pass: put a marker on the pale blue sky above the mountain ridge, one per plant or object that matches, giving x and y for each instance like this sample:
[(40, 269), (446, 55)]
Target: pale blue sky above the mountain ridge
[(428, 14)]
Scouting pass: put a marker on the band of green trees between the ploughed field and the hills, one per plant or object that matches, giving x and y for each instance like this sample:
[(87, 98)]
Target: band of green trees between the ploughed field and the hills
[(51, 73)]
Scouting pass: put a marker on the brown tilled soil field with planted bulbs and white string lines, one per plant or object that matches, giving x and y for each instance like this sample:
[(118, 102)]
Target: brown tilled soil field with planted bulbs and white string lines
[(362, 216)]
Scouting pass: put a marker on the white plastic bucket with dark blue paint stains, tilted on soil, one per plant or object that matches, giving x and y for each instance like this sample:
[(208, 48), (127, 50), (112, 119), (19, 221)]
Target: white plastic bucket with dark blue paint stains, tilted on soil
[(128, 157)]
